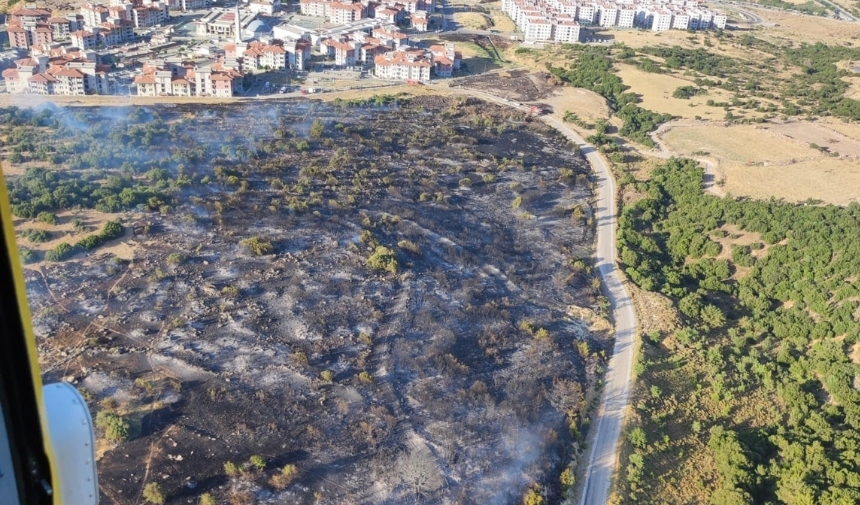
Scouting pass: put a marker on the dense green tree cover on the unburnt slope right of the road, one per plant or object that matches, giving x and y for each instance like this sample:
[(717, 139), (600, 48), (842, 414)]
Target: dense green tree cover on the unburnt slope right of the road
[(782, 327)]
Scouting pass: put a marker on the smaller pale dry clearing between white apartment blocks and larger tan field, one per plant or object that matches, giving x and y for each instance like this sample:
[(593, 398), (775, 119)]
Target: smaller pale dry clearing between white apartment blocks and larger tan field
[(656, 94)]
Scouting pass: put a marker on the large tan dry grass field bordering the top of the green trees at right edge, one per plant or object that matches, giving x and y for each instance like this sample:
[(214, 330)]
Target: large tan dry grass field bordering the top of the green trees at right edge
[(760, 163)]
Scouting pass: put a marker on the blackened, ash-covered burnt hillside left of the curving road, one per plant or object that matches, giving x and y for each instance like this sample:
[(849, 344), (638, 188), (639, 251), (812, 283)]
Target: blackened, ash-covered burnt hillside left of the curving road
[(456, 379)]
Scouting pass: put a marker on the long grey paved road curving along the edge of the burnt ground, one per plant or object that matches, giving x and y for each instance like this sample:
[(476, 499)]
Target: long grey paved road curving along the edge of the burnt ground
[(602, 452)]
